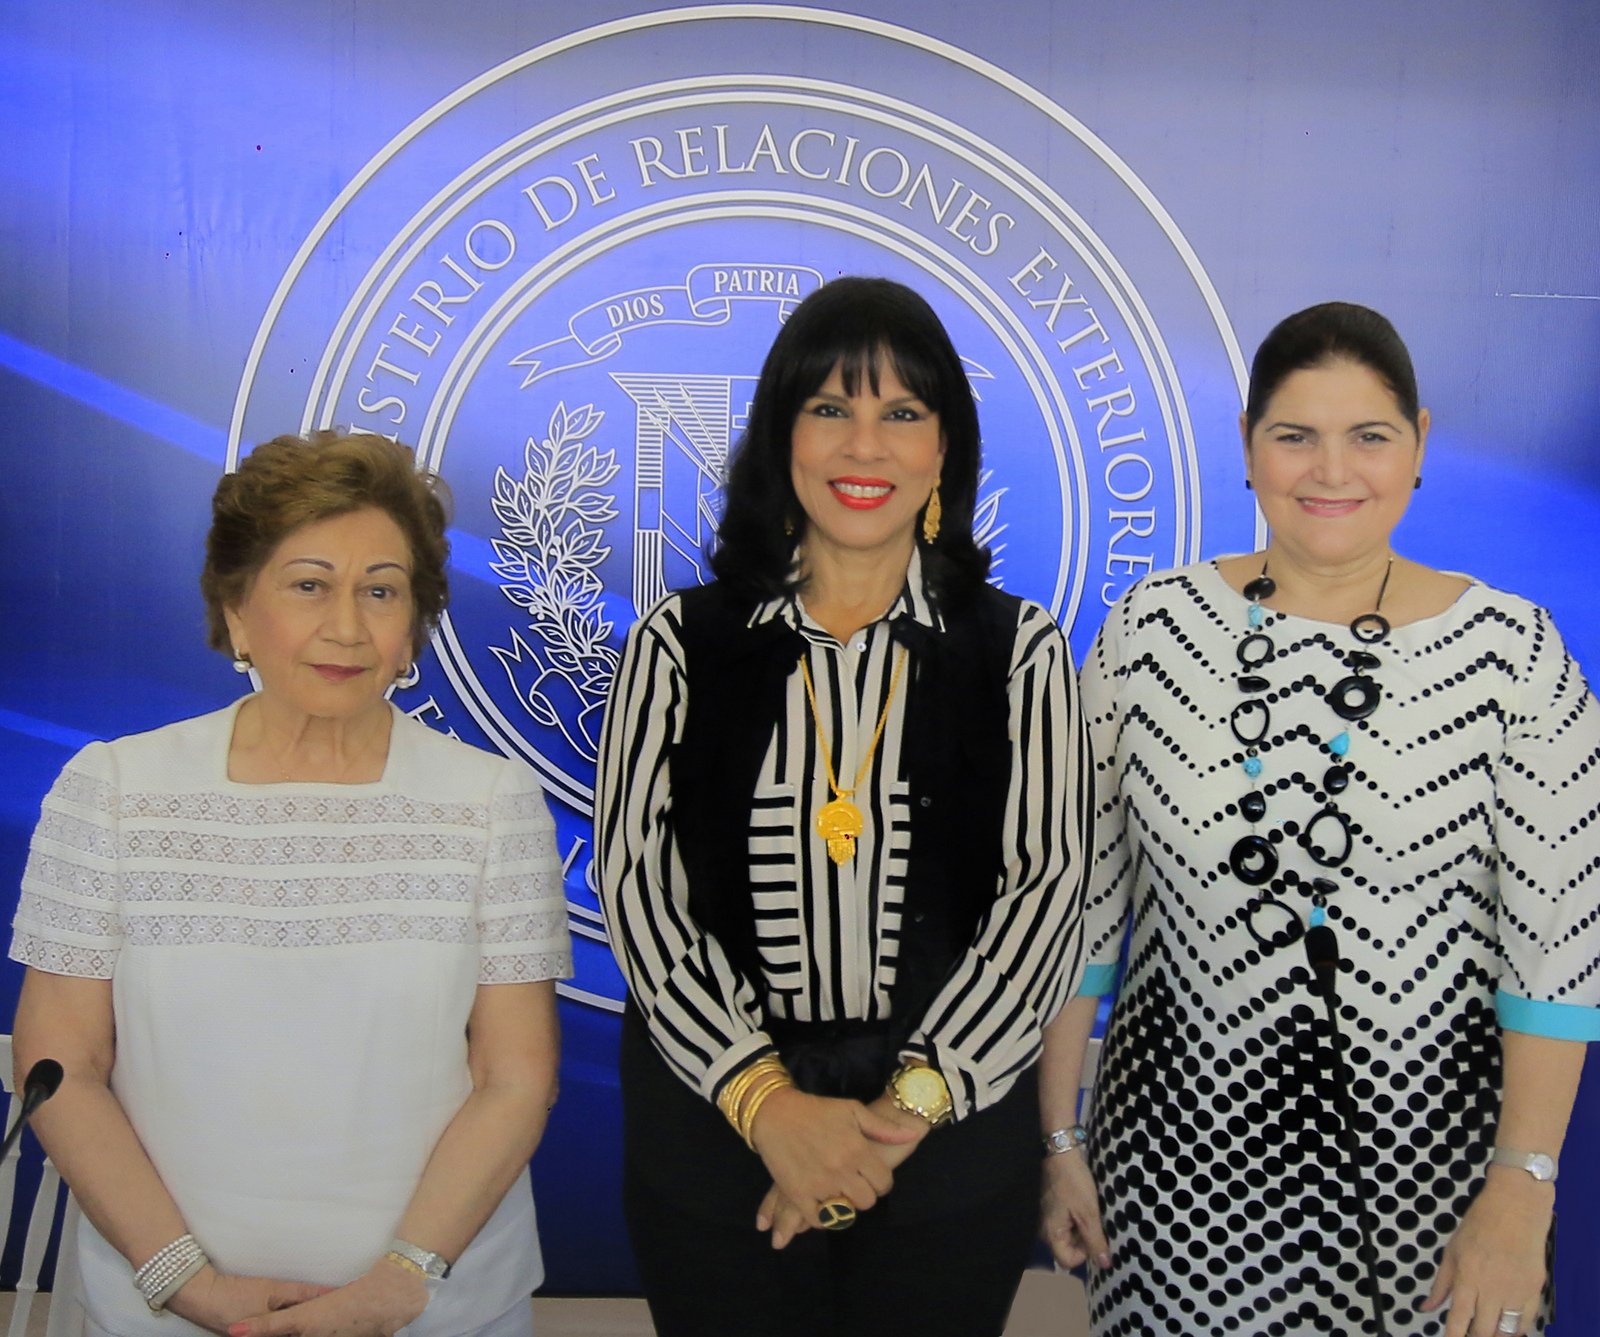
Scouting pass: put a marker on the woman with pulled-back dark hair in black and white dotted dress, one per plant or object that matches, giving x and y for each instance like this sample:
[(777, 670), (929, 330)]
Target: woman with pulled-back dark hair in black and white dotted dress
[(1348, 821)]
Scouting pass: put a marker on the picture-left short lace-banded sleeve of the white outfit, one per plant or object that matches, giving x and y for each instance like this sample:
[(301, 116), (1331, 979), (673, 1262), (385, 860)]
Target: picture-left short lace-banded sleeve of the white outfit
[(70, 916)]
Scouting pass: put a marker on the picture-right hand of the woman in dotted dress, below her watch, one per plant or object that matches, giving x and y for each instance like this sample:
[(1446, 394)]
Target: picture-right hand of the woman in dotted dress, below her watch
[(1494, 1264)]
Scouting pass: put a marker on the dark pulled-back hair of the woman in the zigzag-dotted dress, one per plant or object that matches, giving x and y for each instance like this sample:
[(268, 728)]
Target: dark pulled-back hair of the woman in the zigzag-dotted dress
[(1332, 332)]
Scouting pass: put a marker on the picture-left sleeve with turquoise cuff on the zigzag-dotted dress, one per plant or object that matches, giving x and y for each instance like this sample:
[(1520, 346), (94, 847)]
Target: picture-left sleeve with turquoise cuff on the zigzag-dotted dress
[(1114, 860)]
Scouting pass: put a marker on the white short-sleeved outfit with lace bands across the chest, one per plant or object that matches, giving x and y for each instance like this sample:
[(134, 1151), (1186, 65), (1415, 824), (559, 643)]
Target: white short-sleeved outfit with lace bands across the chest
[(294, 967)]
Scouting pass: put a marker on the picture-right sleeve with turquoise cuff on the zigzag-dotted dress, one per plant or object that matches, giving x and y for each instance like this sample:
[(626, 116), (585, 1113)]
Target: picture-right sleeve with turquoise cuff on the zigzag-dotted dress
[(1548, 839)]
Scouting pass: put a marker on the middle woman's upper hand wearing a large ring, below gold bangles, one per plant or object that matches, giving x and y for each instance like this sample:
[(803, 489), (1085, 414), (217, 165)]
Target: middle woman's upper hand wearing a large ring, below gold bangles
[(818, 1147)]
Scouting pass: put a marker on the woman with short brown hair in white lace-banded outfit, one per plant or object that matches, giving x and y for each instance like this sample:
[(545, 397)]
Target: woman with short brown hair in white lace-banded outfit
[(298, 956)]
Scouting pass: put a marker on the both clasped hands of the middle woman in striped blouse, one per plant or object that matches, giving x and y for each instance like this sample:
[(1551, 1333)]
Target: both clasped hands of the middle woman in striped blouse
[(818, 1149)]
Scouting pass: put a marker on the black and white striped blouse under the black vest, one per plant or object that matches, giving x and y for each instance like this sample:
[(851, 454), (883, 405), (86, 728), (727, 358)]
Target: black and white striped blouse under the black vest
[(830, 935)]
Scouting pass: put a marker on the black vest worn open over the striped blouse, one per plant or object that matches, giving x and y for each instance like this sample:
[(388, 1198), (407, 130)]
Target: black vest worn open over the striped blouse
[(958, 764)]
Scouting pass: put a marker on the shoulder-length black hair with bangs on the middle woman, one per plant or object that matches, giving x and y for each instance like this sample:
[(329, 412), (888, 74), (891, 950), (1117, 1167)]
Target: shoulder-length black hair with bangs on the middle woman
[(850, 324)]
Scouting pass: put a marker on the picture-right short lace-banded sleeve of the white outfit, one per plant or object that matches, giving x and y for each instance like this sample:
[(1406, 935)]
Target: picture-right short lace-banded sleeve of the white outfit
[(522, 906)]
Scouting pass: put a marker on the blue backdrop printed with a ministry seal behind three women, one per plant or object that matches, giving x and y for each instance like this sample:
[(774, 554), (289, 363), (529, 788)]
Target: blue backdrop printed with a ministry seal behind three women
[(551, 252)]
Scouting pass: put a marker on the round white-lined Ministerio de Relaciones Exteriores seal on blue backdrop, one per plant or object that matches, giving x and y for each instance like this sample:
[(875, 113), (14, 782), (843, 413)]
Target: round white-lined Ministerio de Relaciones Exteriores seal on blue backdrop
[(559, 285)]
